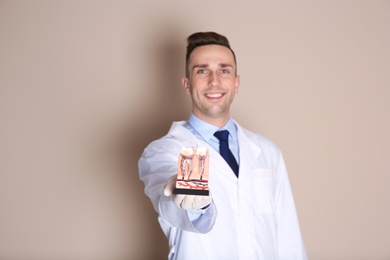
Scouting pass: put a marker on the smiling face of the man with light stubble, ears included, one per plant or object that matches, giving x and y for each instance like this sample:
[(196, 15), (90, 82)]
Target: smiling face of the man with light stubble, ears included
[(212, 83)]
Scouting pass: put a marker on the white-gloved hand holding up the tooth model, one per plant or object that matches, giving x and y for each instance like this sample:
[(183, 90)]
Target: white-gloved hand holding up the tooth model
[(185, 201)]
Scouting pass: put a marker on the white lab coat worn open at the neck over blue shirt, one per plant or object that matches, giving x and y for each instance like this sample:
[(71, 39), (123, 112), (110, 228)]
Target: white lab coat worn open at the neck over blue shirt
[(252, 217)]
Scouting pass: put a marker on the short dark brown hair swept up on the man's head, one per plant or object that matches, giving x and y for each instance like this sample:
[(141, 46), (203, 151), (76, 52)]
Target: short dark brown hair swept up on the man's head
[(205, 38)]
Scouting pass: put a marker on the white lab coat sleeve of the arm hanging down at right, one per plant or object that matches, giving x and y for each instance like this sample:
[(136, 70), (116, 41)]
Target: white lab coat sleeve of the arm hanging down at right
[(290, 242)]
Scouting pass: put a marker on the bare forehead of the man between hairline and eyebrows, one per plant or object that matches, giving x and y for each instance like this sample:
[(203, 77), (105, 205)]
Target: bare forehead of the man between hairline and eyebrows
[(211, 54)]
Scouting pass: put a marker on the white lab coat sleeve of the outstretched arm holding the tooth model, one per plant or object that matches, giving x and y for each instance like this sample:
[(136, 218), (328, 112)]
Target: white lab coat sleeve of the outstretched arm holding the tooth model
[(156, 165)]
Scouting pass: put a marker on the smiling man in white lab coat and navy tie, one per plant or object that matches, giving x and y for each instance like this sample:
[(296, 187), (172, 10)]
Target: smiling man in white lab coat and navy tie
[(250, 212)]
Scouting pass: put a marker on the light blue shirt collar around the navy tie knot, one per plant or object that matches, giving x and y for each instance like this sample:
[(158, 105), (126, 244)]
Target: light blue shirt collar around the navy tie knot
[(207, 130)]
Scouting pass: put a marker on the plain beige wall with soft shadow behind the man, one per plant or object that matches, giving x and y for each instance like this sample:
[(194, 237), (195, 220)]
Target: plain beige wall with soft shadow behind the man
[(86, 85)]
